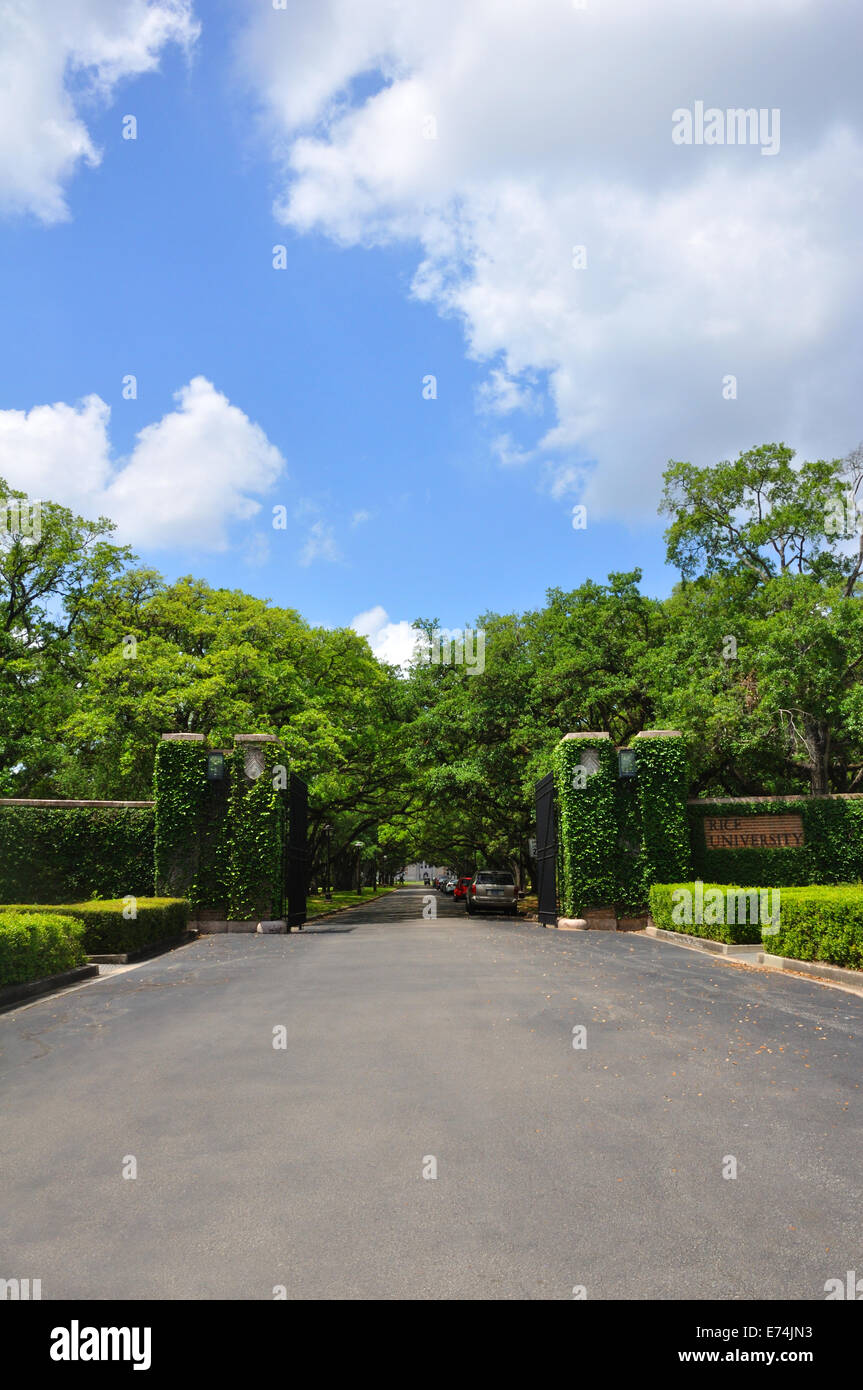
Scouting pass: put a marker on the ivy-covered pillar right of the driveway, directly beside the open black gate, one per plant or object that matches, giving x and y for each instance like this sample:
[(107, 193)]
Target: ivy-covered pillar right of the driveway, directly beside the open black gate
[(586, 775)]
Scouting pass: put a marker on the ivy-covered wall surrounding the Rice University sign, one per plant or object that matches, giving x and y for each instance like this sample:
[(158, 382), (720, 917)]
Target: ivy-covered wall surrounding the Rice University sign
[(832, 854)]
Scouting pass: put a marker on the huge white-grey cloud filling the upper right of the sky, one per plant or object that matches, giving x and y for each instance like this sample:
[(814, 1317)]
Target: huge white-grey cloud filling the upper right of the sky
[(554, 131)]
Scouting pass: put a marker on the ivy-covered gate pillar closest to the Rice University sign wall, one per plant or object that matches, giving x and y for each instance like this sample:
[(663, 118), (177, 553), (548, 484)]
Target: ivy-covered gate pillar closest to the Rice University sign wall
[(662, 789)]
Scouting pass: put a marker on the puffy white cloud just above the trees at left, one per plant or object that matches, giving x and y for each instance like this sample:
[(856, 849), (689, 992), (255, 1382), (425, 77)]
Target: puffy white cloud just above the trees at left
[(188, 477)]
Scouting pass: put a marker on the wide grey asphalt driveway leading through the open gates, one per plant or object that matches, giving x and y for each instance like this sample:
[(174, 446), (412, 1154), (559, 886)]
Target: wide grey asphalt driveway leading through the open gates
[(450, 1039)]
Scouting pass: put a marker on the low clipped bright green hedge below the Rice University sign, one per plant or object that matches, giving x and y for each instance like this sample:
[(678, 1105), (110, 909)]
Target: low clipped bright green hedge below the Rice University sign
[(816, 922)]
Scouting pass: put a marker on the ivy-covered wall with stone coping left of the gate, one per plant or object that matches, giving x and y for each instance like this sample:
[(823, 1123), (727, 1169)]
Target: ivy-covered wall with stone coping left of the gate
[(55, 856)]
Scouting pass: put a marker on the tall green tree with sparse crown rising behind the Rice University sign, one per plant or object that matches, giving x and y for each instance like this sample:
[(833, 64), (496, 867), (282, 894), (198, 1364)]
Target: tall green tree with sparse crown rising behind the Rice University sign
[(765, 650)]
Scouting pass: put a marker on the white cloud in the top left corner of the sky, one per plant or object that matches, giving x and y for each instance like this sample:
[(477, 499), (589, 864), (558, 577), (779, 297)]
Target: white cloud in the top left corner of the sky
[(56, 62)]
